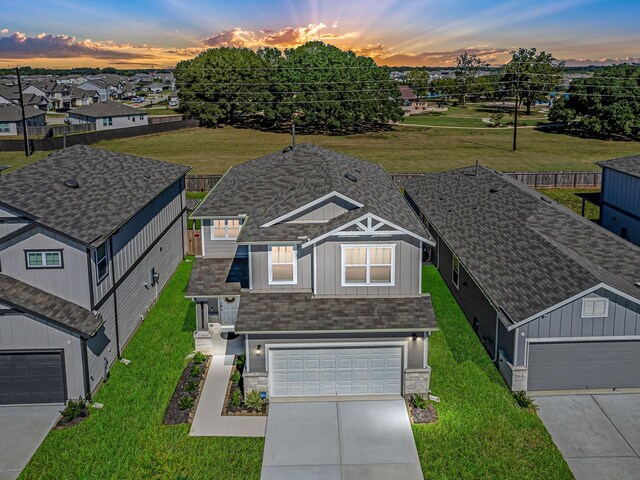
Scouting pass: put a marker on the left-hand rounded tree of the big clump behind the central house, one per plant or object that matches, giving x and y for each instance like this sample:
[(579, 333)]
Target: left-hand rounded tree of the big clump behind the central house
[(222, 83)]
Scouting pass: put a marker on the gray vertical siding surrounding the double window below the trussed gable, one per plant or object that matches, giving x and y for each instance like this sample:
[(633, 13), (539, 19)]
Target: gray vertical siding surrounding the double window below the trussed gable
[(407, 266)]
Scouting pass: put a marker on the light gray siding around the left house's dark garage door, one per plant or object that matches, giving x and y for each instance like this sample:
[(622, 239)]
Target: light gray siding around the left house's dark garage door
[(25, 332)]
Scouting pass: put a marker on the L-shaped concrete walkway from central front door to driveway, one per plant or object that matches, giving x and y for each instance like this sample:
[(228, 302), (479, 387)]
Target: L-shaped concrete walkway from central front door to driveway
[(208, 420)]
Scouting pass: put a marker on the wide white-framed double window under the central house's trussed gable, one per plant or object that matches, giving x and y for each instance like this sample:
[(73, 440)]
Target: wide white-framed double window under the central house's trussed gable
[(368, 265)]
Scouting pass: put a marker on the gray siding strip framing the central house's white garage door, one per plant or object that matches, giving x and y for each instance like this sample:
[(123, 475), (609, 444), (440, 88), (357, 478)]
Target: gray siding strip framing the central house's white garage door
[(415, 350)]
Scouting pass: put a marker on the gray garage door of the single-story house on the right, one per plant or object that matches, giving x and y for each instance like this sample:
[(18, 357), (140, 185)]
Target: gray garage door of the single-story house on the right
[(584, 365)]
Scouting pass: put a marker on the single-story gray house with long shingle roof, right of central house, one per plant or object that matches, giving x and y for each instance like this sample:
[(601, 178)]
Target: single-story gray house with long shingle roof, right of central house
[(552, 296)]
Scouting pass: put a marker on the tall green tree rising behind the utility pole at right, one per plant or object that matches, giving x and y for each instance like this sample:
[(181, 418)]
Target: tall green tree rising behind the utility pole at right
[(533, 75)]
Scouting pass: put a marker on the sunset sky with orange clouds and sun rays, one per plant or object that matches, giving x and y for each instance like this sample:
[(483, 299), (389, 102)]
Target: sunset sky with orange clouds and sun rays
[(159, 33)]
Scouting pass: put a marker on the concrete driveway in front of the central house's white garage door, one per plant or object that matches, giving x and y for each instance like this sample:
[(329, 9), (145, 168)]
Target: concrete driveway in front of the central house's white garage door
[(342, 440)]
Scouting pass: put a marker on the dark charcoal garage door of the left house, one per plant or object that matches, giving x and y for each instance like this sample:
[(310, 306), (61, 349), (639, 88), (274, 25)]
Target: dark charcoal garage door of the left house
[(31, 377)]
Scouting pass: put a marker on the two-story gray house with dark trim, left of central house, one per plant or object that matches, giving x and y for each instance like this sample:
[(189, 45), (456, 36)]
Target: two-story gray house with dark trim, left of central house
[(88, 239)]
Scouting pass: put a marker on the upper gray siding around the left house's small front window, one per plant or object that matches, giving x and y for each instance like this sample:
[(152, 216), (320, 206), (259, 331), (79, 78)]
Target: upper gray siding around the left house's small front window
[(69, 282)]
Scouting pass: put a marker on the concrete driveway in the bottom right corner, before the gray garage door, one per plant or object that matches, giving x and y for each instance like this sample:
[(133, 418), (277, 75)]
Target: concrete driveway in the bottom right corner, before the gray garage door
[(598, 435)]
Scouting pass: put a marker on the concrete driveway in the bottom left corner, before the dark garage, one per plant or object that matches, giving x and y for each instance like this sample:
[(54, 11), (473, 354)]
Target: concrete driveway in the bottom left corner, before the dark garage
[(22, 430)]
